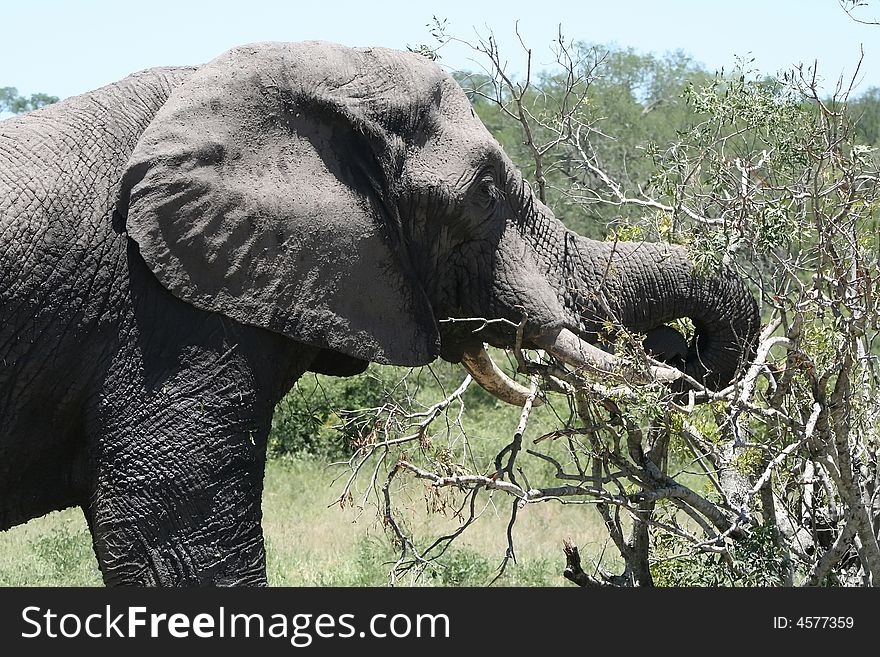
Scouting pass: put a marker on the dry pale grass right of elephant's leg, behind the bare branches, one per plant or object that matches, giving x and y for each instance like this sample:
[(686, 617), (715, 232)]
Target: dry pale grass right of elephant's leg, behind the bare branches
[(312, 541)]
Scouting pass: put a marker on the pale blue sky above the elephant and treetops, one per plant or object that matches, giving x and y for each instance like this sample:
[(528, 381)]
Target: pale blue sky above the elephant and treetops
[(65, 47)]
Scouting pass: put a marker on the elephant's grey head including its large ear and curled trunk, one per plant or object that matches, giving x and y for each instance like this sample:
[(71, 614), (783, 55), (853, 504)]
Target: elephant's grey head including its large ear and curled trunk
[(350, 199)]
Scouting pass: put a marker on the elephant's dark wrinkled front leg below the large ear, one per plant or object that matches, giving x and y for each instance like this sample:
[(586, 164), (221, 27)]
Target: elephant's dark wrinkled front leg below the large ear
[(176, 435)]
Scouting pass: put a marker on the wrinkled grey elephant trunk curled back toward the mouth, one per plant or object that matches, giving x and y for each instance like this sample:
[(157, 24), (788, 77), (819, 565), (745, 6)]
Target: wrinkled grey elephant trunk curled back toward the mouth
[(642, 286)]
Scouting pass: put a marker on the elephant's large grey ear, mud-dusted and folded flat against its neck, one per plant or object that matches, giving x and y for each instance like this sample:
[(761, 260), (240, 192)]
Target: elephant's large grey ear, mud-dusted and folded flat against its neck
[(262, 191)]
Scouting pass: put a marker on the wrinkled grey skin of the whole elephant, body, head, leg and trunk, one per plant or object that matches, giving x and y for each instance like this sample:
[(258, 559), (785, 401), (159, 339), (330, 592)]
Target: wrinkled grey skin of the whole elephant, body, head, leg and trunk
[(177, 248)]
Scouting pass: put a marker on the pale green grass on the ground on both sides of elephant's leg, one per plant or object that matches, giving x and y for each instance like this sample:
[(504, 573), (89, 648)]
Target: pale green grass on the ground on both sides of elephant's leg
[(311, 542)]
